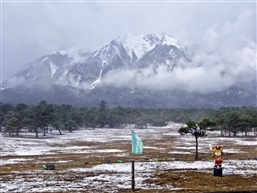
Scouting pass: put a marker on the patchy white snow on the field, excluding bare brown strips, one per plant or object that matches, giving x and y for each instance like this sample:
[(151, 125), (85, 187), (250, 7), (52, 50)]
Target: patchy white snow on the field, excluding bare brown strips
[(110, 177)]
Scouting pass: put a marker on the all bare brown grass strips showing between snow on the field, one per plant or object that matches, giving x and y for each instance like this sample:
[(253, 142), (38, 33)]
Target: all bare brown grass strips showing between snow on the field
[(188, 181)]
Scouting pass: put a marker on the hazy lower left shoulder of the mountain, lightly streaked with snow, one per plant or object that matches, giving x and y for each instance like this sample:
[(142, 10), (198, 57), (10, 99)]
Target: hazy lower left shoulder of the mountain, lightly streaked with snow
[(48, 70)]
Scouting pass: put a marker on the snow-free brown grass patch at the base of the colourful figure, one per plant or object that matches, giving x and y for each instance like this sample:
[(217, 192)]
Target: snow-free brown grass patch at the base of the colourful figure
[(195, 181)]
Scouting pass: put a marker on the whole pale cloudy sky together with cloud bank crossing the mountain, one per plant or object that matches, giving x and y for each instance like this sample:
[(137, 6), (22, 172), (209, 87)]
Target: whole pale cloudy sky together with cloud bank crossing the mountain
[(221, 35)]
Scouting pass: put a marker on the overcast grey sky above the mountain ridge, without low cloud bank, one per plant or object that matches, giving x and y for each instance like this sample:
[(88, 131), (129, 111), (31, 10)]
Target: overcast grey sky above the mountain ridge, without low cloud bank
[(33, 29)]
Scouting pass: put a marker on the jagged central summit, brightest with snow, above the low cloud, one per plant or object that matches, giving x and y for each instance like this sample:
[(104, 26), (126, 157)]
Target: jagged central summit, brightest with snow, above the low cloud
[(131, 52)]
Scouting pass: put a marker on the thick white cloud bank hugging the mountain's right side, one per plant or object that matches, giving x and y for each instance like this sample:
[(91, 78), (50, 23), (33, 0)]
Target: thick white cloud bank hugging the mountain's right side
[(224, 57)]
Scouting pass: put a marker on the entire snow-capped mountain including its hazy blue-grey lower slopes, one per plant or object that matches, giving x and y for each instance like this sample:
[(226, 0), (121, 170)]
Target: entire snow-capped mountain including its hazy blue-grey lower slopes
[(81, 77)]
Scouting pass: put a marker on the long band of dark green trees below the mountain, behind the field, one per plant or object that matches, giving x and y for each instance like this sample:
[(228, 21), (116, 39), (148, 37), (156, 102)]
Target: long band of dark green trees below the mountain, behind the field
[(44, 117)]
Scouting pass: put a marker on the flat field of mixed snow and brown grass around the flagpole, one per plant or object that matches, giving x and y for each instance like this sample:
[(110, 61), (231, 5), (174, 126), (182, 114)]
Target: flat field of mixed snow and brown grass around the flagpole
[(78, 167)]
